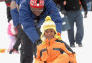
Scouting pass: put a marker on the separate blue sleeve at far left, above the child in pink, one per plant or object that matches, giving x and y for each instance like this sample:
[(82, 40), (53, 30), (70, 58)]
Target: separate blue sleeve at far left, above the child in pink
[(15, 16)]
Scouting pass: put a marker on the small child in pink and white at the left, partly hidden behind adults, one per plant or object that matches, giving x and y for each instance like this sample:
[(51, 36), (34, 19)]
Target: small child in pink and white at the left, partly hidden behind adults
[(12, 32)]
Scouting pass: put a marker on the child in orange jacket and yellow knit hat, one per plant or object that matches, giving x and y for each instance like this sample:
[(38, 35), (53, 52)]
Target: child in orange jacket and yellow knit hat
[(52, 50)]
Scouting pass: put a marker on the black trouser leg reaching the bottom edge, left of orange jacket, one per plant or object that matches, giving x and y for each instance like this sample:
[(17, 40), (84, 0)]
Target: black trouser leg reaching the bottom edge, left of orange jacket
[(27, 51)]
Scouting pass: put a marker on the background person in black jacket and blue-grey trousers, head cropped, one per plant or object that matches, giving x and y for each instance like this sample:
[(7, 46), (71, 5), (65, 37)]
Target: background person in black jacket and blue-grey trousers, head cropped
[(73, 12)]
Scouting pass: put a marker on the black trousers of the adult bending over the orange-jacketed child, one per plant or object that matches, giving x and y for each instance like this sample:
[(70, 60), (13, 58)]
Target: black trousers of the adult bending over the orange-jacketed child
[(26, 51)]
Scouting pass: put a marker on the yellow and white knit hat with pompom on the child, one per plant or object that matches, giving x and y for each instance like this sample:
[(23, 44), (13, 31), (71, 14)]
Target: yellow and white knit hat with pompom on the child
[(48, 24)]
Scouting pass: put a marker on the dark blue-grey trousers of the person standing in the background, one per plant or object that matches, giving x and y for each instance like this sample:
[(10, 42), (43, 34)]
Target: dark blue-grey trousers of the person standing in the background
[(75, 17)]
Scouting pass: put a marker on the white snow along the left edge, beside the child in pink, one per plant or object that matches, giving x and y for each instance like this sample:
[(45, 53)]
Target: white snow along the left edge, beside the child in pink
[(4, 42)]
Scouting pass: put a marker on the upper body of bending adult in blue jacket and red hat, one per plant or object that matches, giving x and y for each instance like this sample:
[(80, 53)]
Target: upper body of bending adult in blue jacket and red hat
[(37, 9)]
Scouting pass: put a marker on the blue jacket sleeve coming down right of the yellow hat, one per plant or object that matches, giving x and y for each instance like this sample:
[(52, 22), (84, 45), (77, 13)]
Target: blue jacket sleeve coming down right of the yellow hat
[(54, 13)]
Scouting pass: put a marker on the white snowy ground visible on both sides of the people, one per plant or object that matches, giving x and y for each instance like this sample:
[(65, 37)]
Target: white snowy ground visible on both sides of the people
[(83, 54)]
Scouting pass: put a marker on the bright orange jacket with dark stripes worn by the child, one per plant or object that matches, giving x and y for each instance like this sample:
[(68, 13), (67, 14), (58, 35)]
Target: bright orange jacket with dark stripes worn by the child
[(50, 51)]
